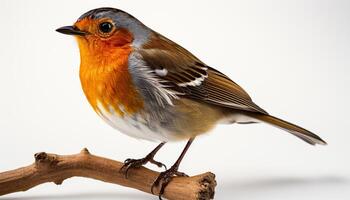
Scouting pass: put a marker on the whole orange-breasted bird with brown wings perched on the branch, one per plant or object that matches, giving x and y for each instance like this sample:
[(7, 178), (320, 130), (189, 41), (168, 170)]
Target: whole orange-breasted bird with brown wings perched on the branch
[(149, 87)]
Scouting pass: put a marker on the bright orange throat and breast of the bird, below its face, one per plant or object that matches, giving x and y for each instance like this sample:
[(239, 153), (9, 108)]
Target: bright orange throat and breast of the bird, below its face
[(105, 77)]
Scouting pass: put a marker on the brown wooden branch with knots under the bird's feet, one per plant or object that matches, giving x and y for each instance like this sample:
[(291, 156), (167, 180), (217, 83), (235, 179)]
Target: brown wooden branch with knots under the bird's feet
[(57, 168)]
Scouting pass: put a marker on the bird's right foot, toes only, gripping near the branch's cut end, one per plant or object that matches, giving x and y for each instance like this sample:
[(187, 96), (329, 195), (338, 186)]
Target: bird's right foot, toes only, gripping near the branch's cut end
[(164, 179)]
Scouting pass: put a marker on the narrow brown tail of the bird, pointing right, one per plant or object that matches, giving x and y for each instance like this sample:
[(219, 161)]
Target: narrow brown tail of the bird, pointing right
[(301, 133)]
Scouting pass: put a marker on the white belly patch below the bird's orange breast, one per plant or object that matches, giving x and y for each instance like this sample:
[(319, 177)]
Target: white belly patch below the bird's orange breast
[(135, 126)]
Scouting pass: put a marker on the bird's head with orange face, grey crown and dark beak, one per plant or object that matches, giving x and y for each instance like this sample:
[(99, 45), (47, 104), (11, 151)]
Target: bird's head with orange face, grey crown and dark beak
[(101, 32)]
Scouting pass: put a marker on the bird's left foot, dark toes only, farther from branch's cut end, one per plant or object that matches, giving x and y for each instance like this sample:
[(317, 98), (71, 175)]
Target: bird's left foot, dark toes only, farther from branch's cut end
[(137, 163)]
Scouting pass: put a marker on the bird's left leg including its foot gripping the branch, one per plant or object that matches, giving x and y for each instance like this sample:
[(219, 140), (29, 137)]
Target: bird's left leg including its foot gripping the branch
[(136, 163)]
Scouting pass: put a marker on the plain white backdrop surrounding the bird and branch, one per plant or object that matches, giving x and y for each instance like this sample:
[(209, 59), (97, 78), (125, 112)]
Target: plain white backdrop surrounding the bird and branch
[(293, 57)]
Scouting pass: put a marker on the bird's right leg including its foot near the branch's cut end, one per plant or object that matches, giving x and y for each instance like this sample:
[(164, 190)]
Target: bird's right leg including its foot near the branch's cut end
[(165, 177)]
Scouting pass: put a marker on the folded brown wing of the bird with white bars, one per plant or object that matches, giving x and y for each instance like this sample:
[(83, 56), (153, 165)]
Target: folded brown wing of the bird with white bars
[(186, 74)]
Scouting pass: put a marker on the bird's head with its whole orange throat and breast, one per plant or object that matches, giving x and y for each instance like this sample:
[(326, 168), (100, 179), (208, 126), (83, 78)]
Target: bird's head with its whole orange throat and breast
[(106, 38)]
